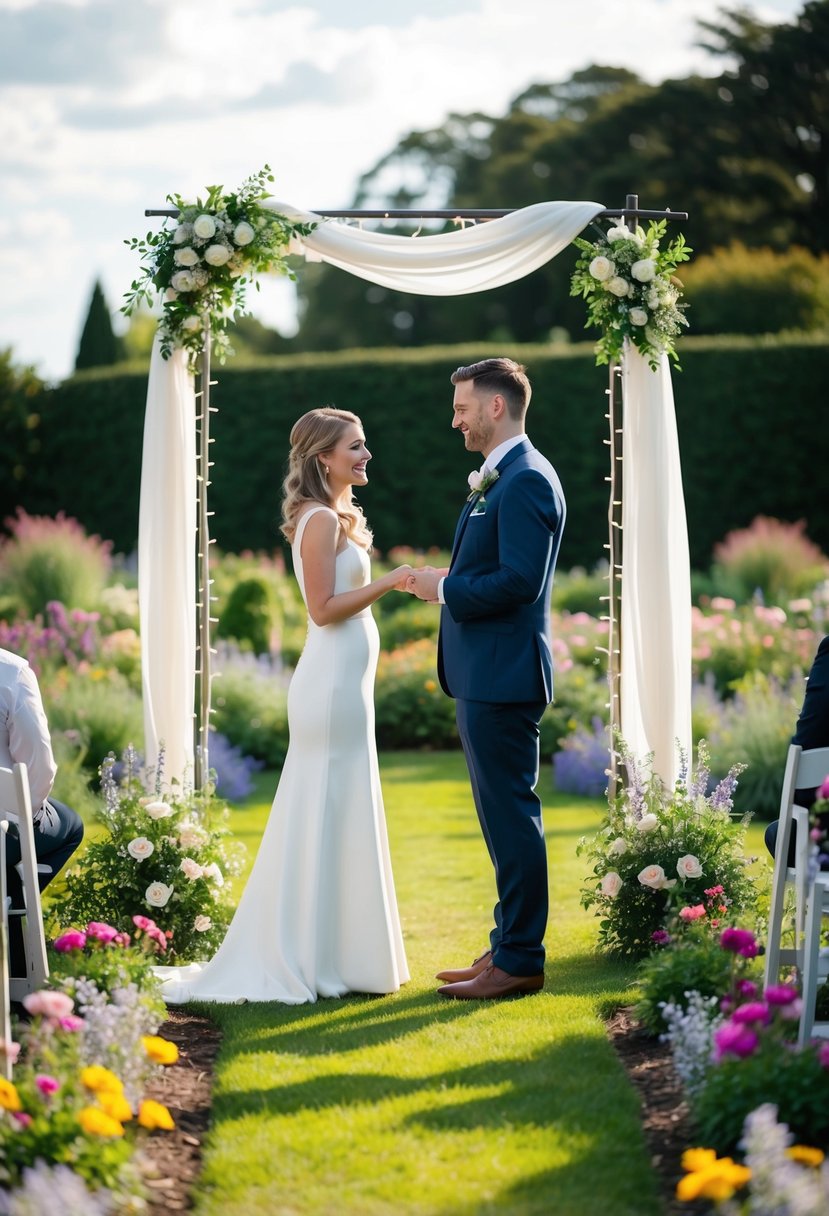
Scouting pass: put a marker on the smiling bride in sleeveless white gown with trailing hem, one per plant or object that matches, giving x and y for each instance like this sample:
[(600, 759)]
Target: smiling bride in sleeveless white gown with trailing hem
[(319, 916)]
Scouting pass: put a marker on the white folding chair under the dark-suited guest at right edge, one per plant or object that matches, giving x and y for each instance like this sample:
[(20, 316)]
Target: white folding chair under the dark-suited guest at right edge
[(804, 770)]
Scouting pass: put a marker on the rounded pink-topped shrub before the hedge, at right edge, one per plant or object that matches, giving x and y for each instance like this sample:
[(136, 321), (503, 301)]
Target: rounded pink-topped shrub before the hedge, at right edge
[(770, 559)]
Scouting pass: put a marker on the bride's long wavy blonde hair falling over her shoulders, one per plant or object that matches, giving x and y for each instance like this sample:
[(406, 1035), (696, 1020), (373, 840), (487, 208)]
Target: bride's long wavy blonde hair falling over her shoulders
[(312, 436)]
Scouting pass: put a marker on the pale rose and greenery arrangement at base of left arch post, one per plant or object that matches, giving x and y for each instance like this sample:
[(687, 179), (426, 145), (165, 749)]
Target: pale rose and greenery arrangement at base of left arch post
[(160, 868)]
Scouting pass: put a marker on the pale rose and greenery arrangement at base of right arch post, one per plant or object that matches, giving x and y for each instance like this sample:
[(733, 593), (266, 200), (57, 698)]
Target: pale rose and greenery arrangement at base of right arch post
[(659, 847)]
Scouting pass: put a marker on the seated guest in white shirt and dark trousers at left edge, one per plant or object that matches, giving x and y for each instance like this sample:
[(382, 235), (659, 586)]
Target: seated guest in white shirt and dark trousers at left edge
[(25, 739)]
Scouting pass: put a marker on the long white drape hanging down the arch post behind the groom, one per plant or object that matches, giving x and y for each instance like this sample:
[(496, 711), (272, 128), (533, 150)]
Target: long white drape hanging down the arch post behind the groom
[(656, 584)]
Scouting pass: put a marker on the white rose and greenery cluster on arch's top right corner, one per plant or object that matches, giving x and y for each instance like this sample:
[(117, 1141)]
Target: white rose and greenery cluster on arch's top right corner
[(631, 290)]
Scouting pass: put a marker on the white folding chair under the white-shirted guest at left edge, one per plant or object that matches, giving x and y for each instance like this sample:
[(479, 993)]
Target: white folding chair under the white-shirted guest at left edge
[(16, 808)]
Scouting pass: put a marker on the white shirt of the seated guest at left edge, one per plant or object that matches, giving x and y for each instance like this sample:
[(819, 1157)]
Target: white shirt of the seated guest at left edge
[(24, 729)]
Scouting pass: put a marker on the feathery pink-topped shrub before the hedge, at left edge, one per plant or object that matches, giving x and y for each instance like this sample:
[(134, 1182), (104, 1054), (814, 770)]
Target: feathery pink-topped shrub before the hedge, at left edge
[(44, 560)]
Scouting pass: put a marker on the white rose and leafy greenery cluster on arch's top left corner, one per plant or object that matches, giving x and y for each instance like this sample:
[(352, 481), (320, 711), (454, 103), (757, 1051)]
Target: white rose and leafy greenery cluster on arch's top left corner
[(202, 267)]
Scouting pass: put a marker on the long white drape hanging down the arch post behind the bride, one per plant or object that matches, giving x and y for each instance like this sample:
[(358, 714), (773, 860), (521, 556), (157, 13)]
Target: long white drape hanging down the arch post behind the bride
[(167, 565)]
